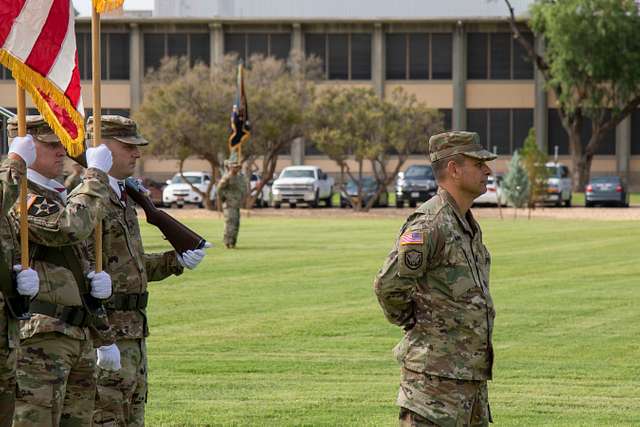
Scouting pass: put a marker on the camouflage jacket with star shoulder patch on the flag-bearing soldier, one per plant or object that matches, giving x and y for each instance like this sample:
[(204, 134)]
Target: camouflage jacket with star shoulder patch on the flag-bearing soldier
[(52, 222)]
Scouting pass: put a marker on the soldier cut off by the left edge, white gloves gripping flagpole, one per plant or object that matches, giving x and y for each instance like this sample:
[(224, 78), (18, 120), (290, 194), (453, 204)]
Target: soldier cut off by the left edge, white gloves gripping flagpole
[(22, 153)]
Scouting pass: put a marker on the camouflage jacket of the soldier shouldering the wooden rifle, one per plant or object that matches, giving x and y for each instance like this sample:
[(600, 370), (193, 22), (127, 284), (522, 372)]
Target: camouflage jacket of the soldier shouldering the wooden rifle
[(129, 267)]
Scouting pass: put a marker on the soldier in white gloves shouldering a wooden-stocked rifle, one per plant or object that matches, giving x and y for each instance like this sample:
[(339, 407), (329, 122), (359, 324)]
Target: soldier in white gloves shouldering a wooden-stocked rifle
[(122, 395)]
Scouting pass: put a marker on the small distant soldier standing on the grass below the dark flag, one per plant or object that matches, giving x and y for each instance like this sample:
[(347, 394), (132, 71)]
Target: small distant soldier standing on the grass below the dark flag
[(232, 190)]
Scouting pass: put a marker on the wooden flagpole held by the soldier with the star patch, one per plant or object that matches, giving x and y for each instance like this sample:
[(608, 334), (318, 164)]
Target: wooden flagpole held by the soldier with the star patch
[(97, 122)]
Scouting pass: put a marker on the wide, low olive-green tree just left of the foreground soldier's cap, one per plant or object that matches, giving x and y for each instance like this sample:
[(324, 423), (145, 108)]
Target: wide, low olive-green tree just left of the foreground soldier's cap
[(355, 125)]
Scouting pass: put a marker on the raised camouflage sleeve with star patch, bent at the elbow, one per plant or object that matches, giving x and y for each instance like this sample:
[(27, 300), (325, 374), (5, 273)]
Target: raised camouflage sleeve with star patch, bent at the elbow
[(75, 223)]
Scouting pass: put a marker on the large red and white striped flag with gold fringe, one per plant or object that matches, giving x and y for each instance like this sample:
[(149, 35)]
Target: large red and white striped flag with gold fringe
[(38, 45)]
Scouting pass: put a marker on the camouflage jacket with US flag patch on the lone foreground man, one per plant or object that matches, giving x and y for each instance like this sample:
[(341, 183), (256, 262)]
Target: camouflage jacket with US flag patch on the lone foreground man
[(435, 284)]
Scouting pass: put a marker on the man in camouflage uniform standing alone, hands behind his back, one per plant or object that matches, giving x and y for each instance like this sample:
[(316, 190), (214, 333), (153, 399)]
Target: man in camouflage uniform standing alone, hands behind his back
[(435, 285)]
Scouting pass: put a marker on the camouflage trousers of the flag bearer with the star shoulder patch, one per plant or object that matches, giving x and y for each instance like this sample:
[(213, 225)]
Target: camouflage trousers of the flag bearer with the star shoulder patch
[(56, 381)]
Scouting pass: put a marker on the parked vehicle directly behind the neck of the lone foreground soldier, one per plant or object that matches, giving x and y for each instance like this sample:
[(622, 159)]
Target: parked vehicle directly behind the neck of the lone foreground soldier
[(415, 185)]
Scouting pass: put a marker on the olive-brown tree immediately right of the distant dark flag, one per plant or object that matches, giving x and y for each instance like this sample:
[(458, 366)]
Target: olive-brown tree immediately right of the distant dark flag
[(278, 95)]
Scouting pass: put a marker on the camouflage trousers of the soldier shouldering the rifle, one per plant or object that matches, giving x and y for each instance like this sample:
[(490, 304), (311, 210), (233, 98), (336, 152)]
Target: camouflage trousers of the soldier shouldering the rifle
[(122, 395)]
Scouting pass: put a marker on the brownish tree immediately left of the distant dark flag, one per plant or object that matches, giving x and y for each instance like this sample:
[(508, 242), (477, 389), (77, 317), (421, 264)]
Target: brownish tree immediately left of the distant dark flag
[(185, 113)]
